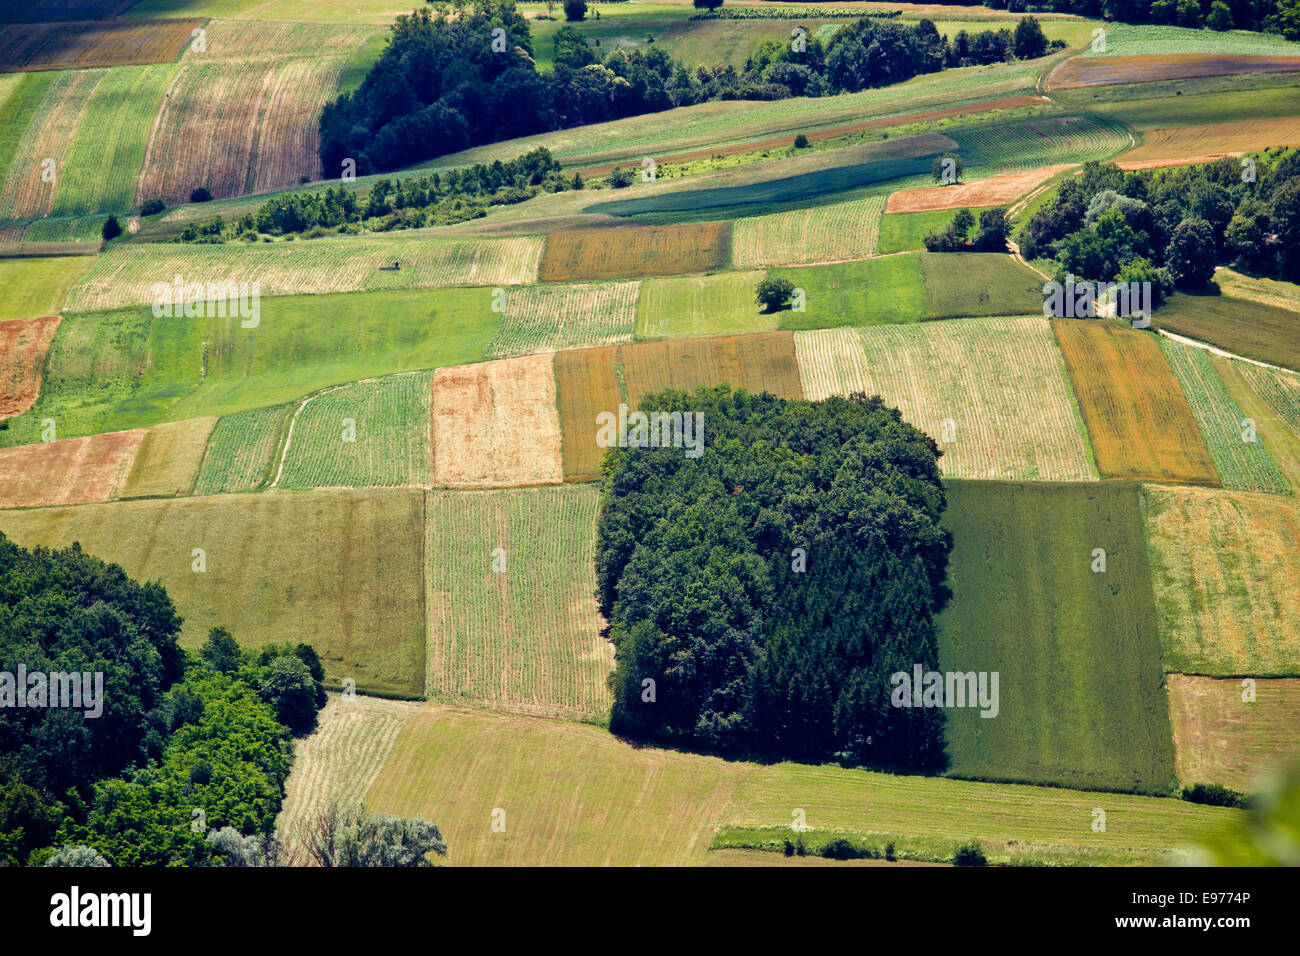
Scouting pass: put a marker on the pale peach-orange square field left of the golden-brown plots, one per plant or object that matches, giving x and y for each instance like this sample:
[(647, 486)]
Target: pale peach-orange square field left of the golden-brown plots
[(496, 426)]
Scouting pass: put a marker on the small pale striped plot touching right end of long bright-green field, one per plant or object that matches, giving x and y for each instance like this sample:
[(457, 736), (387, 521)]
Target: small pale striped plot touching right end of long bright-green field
[(549, 318)]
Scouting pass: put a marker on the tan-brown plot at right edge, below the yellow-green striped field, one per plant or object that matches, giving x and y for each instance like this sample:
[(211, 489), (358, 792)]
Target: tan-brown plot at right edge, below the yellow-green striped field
[(1219, 738)]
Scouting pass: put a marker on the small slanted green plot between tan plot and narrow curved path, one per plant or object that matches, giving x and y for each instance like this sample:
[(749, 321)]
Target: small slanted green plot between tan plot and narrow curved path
[(244, 451)]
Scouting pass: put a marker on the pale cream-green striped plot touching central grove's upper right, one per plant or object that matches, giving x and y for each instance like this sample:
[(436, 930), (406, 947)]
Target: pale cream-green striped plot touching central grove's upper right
[(965, 383)]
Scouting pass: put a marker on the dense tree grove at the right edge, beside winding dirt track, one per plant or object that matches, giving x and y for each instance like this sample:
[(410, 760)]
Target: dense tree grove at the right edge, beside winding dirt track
[(1172, 227)]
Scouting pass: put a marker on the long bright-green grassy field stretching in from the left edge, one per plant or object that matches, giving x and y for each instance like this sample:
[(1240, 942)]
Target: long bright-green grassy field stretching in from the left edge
[(127, 366)]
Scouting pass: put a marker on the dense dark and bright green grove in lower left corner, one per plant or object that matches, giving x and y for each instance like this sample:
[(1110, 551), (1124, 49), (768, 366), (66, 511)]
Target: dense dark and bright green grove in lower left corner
[(185, 743)]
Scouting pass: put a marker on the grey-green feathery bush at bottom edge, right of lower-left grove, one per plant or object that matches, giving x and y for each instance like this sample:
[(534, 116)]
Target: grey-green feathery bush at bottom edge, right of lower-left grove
[(349, 836)]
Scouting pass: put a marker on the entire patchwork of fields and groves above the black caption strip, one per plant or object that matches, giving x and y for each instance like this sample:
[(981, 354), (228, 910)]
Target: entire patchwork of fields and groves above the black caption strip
[(387, 451)]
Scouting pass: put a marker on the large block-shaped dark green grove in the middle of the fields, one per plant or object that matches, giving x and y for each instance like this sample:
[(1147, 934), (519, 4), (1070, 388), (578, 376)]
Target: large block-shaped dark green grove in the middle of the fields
[(762, 594)]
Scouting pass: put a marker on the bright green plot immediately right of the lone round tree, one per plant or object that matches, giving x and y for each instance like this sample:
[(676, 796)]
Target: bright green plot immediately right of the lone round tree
[(865, 293)]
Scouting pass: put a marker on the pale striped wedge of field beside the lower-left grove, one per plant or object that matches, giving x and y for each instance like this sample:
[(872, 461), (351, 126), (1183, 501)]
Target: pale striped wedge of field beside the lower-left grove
[(340, 760)]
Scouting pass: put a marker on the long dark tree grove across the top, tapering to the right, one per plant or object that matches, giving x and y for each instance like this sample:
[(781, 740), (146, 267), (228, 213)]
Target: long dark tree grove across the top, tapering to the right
[(447, 83)]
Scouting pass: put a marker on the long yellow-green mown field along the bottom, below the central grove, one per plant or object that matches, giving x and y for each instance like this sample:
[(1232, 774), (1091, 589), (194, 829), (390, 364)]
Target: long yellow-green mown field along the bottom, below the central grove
[(566, 791)]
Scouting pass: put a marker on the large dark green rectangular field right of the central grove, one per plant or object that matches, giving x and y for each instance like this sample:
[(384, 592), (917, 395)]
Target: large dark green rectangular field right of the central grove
[(1082, 687)]
